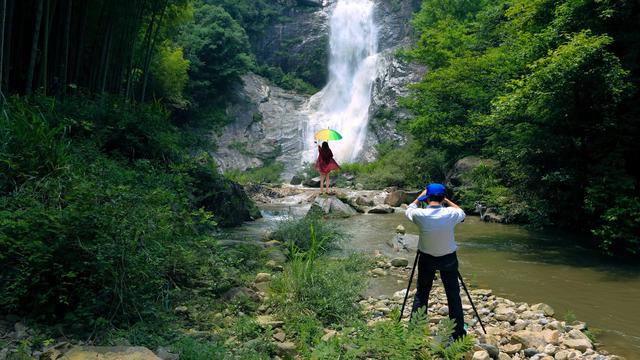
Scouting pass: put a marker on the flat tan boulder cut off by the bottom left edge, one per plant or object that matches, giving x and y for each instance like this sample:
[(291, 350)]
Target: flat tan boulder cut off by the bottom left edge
[(110, 353)]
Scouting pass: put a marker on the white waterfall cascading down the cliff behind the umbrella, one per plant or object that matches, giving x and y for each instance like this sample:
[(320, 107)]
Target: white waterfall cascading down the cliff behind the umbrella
[(343, 104)]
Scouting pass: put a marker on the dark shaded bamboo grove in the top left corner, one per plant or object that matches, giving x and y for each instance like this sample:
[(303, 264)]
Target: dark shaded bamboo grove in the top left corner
[(59, 46)]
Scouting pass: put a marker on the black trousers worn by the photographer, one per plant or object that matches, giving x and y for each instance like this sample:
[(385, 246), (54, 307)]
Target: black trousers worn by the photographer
[(448, 266)]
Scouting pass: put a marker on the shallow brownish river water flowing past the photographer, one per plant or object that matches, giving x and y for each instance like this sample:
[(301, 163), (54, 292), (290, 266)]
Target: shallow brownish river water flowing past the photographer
[(515, 263)]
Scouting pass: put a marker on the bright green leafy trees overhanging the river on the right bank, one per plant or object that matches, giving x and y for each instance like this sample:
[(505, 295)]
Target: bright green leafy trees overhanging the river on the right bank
[(550, 90)]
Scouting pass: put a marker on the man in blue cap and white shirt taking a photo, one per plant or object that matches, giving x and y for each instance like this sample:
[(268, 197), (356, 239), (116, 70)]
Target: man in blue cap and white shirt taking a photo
[(437, 250)]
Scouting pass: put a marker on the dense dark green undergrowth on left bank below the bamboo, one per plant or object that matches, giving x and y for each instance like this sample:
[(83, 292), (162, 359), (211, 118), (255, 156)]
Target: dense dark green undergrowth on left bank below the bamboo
[(96, 195)]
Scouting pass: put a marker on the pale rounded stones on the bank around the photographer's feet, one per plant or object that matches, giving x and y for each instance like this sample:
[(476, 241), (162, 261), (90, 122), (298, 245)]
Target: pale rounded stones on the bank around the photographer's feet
[(515, 330)]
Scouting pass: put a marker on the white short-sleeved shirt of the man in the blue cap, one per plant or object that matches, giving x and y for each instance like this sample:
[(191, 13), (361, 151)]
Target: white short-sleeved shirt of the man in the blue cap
[(436, 224)]
